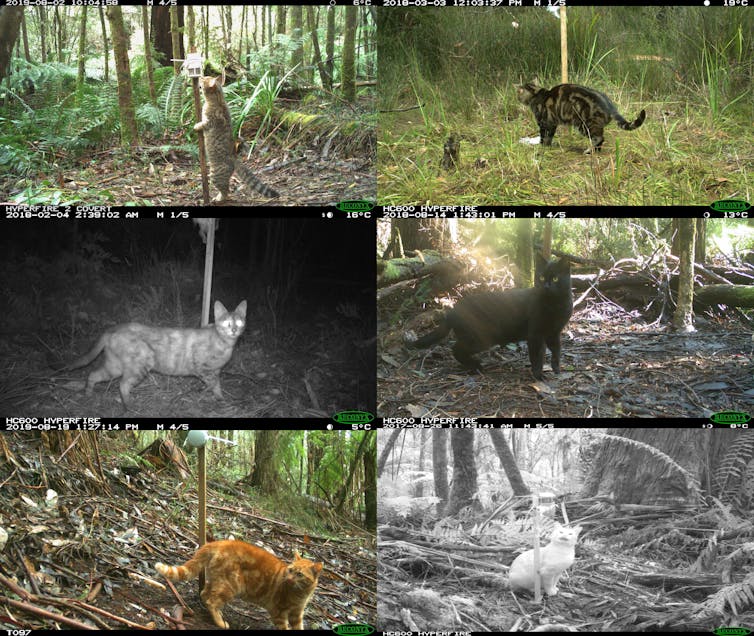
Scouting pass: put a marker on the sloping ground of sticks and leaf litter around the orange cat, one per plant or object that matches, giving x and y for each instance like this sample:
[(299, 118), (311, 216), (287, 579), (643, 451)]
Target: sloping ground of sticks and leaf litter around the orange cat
[(86, 556)]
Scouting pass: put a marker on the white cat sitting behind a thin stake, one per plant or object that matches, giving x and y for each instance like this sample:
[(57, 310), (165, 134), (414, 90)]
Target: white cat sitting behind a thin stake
[(554, 559)]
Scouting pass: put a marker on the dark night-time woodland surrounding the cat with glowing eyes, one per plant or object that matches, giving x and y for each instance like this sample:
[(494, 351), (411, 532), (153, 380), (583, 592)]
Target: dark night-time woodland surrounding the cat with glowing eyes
[(307, 350)]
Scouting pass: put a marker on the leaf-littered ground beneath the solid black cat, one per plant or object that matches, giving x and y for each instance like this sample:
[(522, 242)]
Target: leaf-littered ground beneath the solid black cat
[(609, 368)]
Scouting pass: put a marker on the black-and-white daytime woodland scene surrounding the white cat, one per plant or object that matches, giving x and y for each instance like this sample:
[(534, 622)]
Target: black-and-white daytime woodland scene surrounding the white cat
[(665, 516)]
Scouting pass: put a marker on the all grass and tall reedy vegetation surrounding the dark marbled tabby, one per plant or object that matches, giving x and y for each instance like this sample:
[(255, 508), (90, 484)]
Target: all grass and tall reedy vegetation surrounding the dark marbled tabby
[(454, 71)]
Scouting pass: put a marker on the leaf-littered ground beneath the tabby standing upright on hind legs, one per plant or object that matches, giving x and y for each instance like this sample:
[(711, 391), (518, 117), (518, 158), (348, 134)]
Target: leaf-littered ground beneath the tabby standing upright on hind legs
[(165, 176)]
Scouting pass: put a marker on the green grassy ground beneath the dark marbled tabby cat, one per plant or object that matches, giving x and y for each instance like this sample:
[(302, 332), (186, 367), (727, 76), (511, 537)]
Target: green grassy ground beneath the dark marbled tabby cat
[(680, 155)]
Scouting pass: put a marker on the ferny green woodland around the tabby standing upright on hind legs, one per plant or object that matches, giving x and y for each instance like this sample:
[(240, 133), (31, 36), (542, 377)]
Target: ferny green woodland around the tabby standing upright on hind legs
[(96, 107)]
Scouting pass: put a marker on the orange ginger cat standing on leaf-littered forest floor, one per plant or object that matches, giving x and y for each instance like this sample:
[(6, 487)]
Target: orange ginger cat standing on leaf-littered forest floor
[(235, 568)]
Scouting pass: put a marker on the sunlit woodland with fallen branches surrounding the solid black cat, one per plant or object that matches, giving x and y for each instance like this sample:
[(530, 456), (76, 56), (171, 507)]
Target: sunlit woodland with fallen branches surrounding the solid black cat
[(661, 325)]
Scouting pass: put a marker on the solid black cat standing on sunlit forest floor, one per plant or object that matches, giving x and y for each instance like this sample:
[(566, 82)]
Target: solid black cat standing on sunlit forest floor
[(536, 315)]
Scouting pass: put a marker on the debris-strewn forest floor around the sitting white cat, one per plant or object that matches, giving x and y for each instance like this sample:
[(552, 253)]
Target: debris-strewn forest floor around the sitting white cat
[(630, 575)]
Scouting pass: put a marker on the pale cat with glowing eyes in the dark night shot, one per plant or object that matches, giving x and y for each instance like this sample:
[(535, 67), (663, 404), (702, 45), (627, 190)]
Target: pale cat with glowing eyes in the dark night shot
[(132, 350)]
